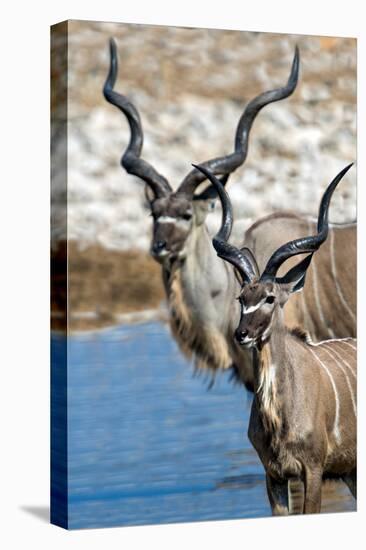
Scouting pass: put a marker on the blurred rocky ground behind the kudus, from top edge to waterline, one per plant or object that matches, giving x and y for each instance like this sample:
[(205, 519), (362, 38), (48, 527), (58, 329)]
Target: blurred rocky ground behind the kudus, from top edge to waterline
[(190, 87)]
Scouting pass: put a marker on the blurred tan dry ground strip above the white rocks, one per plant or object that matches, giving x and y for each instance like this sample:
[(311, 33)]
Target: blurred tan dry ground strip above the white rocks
[(169, 62)]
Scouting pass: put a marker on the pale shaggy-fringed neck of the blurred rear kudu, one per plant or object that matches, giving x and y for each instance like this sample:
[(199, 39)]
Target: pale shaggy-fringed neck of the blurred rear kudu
[(200, 294)]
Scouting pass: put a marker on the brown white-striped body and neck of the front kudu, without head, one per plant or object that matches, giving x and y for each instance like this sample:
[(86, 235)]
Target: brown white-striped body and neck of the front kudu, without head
[(303, 424)]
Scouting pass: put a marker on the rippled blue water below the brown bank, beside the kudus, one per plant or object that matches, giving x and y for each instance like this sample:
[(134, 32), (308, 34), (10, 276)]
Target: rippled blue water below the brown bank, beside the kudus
[(148, 442)]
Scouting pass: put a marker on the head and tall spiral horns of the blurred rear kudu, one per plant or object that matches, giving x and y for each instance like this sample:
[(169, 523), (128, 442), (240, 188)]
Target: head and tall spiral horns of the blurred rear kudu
[(176, 213)]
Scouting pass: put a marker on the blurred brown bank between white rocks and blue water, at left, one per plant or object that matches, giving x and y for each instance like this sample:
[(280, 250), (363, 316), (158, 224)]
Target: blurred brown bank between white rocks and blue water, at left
[(104, 282)]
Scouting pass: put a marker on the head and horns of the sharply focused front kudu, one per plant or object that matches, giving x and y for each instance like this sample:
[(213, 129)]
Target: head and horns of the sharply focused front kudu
[(262, 294)]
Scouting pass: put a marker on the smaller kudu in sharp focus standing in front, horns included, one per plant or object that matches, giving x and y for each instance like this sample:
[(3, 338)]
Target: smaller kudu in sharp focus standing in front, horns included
[(303, 417)]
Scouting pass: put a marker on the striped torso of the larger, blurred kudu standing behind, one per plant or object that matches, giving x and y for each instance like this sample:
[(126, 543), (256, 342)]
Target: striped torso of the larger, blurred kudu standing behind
[(326, 307)]
